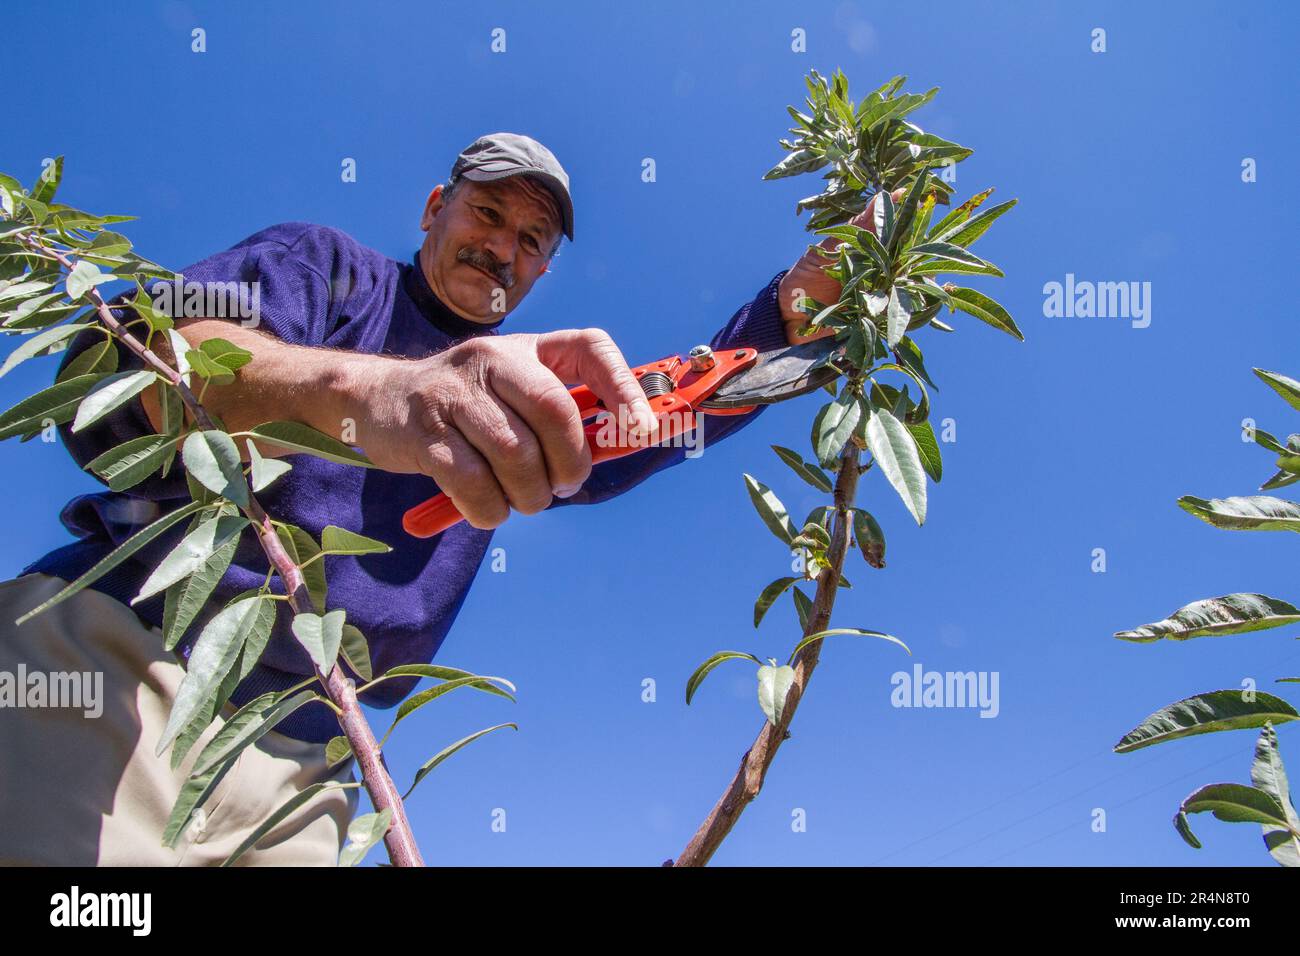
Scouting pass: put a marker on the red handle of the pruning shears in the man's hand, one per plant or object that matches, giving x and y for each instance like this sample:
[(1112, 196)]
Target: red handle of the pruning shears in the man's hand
[(605, 436)]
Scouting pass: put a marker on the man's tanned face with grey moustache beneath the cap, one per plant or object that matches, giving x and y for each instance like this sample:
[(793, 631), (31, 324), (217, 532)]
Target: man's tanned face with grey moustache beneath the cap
[(488, 244)]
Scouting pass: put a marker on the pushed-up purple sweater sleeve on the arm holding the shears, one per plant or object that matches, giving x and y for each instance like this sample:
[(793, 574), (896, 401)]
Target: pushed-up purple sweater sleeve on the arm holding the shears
[(278, 276)]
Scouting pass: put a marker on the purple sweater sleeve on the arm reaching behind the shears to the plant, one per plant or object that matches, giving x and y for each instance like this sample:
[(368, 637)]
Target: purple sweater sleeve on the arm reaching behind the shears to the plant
[(757, 326)]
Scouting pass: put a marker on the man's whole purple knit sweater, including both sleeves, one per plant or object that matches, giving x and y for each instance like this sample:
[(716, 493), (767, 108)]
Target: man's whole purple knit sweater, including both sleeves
[(320, 288)]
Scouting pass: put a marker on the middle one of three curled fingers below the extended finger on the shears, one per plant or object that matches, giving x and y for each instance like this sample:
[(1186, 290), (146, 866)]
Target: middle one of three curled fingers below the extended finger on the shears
[(502, 438)]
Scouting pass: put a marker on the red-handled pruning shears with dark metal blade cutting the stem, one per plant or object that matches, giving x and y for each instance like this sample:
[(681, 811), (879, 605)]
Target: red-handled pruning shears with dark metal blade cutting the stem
[(731, 382)]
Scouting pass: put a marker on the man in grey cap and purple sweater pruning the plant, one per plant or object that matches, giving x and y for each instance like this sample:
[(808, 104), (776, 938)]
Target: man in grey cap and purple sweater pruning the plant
[(406, 362)]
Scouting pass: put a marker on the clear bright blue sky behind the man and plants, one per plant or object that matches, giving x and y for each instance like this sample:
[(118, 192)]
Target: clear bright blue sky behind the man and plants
[(1128, 167)]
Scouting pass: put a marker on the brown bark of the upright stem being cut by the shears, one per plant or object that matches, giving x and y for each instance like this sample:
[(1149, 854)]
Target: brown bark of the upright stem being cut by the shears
[(753, 767)]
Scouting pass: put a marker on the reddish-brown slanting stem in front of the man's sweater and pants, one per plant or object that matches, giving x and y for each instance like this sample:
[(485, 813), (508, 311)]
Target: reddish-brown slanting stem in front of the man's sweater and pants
[(400, 838)]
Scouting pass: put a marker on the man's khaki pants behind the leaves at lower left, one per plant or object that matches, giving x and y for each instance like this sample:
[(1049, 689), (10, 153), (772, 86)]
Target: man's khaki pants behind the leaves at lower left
[(83, 791)]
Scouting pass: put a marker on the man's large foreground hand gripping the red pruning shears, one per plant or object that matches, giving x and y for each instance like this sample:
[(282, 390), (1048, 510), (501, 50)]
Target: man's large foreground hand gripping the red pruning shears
[(492, 419)]
